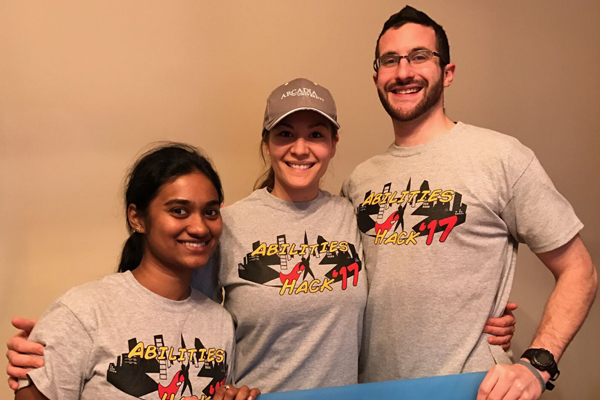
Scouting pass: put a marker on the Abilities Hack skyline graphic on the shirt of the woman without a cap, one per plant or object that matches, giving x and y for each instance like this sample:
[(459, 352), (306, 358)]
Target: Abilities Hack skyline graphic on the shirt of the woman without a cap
[(157, 371)]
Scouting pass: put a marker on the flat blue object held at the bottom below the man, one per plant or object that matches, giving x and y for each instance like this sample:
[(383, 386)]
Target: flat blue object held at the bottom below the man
[(448, 387)]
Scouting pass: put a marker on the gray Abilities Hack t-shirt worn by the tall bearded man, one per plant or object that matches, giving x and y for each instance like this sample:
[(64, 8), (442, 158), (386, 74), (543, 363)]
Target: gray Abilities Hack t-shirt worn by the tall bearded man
[(440, 224)]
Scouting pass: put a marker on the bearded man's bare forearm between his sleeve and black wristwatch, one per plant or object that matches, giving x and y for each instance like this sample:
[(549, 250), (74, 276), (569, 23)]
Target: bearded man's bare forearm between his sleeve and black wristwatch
[(567, 306)]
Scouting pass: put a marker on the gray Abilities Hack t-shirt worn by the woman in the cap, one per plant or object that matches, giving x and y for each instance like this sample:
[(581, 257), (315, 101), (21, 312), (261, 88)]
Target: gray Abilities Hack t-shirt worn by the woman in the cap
[(296, 288)]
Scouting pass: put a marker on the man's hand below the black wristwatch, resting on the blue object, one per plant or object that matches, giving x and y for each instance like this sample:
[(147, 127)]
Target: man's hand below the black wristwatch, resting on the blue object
[(510, 382)]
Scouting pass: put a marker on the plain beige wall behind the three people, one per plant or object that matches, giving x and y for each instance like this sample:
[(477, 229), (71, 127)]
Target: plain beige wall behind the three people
[(85, 85)]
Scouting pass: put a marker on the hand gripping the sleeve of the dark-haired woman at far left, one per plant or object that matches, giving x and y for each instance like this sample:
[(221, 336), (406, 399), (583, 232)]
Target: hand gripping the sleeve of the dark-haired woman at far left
[(20, 352)]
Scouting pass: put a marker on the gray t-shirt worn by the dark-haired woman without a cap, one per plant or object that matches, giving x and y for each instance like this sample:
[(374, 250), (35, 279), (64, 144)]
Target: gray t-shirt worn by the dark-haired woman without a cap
[(113, 339)]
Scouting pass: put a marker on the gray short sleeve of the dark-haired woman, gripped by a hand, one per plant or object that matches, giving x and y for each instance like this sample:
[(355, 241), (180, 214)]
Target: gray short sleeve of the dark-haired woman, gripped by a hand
[(66, 355)]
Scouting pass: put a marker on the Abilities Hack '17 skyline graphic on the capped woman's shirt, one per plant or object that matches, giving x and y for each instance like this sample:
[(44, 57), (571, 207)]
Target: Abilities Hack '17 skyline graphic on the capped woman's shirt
[(291, 267)]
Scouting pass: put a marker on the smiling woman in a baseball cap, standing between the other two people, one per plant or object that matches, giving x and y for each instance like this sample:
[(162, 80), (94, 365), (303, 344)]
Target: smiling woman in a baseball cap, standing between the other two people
[(291, 261)]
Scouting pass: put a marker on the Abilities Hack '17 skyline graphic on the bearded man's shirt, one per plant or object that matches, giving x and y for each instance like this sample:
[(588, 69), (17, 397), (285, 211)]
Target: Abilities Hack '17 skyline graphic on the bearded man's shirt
[(383, 215)]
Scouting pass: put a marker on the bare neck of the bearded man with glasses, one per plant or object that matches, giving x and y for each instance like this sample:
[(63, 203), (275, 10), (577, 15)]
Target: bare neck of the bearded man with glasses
[(422, 130)]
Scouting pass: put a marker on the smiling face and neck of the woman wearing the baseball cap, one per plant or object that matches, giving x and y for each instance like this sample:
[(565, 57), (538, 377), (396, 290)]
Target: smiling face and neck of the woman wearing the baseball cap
[(303, 138)]
